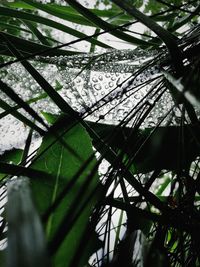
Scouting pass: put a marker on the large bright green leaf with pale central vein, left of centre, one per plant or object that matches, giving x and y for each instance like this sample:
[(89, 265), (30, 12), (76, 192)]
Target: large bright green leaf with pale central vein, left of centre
[(57, 160)]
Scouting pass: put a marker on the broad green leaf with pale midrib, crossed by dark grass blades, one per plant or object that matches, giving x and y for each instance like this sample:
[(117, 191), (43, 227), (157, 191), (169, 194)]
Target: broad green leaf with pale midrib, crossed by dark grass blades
[(63, 166)]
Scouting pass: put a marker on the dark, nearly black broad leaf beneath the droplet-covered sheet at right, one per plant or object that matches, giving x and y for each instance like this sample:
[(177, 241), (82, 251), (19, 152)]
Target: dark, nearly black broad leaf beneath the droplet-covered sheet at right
[(150, 150)]
